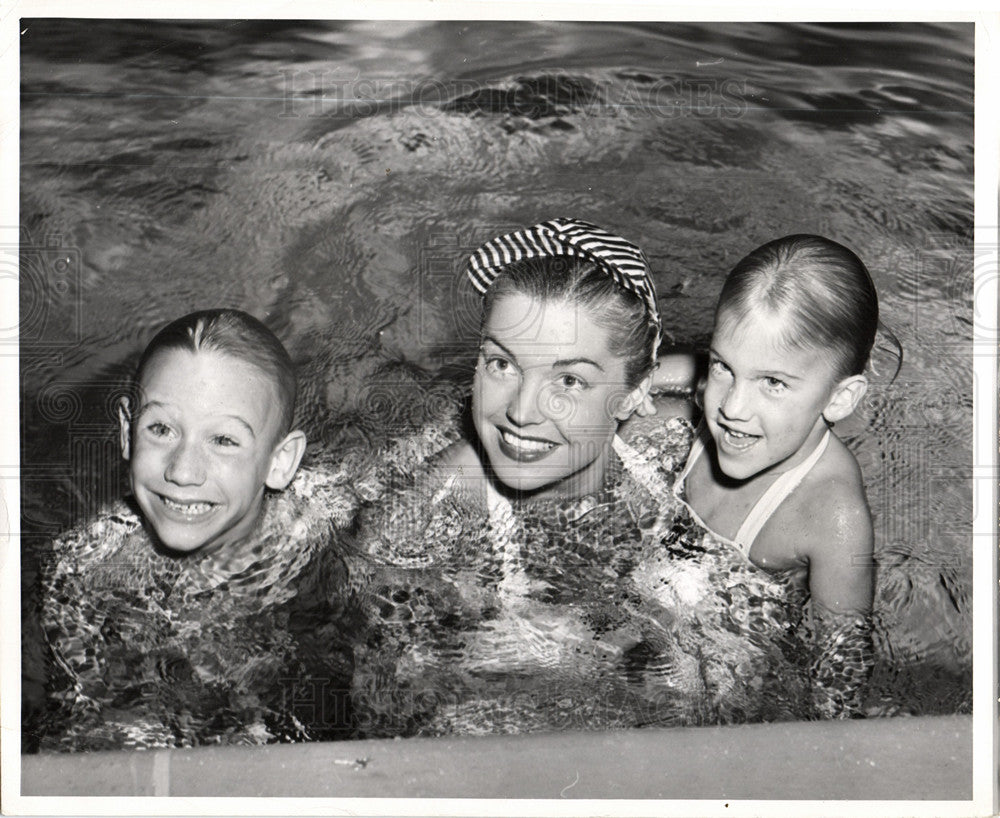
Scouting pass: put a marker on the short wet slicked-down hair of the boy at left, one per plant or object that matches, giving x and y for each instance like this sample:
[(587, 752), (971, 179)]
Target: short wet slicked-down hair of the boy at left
[(234, 333)]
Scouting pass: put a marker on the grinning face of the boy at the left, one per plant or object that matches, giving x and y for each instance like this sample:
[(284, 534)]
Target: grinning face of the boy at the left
[(203, 445)]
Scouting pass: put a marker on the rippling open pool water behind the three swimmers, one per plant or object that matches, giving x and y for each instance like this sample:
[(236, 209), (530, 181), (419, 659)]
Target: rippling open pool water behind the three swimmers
[(332, 177)]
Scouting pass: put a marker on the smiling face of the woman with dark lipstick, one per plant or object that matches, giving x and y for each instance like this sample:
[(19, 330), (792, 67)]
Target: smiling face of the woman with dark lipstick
[(548, 396)]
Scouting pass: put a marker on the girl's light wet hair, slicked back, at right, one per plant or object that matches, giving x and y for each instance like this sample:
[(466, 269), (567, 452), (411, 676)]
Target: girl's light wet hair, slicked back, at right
[(821, 287)]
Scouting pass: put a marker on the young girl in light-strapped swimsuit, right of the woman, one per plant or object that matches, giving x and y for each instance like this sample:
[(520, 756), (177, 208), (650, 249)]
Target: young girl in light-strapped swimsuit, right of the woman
[(794, 328)]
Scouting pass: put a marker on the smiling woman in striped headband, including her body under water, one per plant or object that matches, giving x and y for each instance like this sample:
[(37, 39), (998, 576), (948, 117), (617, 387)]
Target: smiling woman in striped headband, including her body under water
[(514, 583)]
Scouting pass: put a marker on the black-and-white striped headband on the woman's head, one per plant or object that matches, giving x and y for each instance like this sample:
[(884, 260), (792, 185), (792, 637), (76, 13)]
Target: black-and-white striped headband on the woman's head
[(620, 259)]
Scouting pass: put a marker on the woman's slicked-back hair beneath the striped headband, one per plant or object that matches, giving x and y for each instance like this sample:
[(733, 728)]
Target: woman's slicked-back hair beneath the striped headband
[(632, 334)]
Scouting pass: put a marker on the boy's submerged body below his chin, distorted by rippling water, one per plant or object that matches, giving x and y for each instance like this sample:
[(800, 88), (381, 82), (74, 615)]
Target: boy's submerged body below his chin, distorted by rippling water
[(241, 645)]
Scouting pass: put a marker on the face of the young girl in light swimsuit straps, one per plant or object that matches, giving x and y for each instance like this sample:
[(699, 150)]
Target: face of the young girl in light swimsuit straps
[(764, 400)]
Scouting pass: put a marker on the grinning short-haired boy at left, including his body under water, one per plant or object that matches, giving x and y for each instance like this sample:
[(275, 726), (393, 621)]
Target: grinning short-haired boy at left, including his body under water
[(205, 608)]
